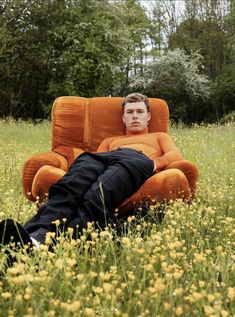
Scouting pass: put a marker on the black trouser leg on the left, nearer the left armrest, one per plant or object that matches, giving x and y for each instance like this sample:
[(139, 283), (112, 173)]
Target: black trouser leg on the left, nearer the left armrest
[(66, 195)]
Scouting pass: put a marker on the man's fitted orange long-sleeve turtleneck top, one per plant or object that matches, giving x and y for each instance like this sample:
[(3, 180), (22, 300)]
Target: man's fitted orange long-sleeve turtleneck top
[(157, 146)]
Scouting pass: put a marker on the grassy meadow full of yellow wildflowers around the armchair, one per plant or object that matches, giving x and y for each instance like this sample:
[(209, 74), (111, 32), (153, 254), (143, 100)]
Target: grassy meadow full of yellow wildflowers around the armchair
[(184, 266)]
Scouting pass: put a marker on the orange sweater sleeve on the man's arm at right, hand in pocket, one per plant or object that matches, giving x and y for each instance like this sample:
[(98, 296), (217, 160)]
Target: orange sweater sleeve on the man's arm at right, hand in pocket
[(170, 152)]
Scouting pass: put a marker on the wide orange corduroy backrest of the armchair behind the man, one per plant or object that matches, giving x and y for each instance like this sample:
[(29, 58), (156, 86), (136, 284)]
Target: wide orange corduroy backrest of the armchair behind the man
[(85, 122)]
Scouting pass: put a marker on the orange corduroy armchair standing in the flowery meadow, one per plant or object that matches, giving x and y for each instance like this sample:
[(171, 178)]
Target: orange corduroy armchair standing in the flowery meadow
[(80, 124)]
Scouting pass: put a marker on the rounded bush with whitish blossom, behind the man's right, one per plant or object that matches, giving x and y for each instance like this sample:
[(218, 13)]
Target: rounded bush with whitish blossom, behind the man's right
[(176, 78)]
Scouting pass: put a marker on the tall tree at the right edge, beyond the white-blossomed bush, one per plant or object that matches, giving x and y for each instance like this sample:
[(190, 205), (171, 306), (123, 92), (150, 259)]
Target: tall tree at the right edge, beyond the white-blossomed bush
[(208, 27)]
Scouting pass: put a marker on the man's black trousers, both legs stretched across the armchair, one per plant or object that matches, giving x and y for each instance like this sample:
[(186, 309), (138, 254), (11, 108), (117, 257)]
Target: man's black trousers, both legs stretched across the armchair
[(94, 186)]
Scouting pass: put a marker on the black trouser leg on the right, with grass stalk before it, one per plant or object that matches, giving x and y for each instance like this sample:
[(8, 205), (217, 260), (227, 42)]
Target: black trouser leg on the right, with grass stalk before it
[(127, 170)]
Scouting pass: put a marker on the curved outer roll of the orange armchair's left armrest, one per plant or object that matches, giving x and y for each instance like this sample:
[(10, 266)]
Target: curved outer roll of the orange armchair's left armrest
[(34, 163)]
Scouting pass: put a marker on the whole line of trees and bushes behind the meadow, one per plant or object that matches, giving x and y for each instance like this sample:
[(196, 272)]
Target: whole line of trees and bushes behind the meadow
[(112, 47)]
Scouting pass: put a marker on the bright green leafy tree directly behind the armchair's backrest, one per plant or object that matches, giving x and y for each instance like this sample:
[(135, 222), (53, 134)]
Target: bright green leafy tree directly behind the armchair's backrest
[(95, 48)]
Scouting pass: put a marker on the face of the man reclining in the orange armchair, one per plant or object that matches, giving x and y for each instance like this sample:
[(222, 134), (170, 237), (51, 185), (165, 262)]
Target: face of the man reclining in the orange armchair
[(136, 117)]
